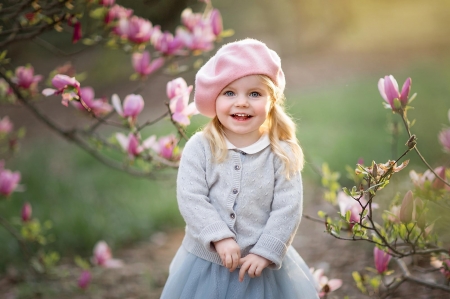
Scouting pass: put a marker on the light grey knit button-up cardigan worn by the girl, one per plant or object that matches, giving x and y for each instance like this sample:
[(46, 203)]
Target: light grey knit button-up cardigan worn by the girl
[(247, 198)]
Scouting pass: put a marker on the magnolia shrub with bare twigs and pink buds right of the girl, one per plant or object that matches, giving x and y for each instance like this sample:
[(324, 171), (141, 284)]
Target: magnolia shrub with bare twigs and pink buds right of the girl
[(406, 227)]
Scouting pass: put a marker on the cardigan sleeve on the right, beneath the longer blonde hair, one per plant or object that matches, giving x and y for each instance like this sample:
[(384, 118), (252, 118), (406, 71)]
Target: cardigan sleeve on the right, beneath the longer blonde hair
[(284, 219)]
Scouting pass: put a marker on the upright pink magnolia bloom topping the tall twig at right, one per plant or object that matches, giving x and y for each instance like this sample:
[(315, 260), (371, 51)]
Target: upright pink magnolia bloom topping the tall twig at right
[(388, 88)]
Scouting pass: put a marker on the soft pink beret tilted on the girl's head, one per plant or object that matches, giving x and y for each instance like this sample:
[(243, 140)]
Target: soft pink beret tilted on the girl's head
[(233, 61)]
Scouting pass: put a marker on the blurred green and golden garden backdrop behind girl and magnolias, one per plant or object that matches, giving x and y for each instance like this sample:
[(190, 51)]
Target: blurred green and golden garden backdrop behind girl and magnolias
[(333, 54)]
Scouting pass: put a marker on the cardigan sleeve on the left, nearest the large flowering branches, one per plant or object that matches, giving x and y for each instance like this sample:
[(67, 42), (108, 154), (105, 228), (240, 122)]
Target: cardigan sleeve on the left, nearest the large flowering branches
[(202, 219)]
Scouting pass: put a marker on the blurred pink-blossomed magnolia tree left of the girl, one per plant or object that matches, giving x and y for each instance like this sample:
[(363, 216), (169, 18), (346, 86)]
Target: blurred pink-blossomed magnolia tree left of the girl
[(151, 50)]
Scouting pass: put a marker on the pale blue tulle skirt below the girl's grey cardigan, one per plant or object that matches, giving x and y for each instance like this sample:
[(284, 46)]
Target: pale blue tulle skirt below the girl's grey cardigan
[(191, 277)]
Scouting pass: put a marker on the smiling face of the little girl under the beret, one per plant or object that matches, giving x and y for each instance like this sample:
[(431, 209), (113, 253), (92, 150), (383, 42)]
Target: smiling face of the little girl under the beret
[(242, 108)]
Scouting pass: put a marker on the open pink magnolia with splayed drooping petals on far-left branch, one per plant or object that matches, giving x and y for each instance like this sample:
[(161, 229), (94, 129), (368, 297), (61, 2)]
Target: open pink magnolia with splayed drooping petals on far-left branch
[(69, 87)]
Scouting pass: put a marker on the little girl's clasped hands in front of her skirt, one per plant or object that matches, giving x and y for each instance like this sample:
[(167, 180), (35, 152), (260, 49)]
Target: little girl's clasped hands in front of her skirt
[(230, 253)]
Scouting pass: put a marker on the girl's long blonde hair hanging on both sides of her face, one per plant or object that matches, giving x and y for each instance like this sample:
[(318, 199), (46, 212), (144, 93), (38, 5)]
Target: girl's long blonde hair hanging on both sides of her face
[(278, 125)]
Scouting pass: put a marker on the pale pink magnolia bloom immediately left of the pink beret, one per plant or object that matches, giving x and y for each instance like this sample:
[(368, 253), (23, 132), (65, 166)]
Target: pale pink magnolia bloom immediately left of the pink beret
[(178, 93)]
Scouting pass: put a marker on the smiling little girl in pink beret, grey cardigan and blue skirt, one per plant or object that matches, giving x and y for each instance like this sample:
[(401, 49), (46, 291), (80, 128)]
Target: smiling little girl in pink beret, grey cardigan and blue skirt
[(239, 187)]
